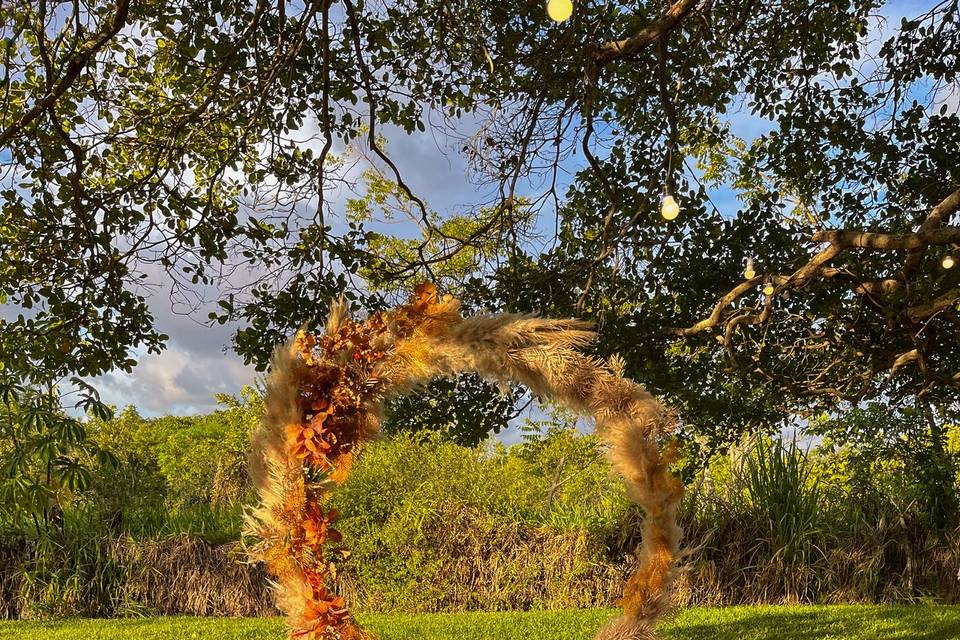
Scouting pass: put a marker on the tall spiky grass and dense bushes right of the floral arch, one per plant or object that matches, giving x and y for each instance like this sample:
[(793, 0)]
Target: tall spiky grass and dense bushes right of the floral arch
[(786, 524)]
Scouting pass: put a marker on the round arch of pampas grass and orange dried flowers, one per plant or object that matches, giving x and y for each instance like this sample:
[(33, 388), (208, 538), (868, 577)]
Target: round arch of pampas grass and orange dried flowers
[(325, 395)]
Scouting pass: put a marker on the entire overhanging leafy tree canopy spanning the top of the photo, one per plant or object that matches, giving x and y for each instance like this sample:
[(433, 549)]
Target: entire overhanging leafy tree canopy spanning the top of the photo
[(236, 153)]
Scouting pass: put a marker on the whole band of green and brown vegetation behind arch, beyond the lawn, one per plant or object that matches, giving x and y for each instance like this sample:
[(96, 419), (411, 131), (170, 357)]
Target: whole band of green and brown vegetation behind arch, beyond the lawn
[(435, 525)]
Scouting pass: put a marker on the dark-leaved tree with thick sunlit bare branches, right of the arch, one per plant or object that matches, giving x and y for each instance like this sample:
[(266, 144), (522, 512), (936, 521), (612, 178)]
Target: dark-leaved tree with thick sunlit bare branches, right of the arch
[(855, 154)]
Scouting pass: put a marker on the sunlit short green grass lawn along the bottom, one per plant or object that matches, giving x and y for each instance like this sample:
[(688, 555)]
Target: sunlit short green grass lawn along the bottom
[(735, 623)]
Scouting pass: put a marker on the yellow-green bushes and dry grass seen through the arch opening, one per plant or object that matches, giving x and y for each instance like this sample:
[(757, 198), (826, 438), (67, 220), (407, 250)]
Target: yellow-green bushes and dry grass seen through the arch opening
[(433, 526)]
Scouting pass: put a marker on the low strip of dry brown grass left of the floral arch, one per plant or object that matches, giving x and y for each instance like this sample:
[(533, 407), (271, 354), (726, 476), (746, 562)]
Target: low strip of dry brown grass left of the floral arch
[(99, 577)]
